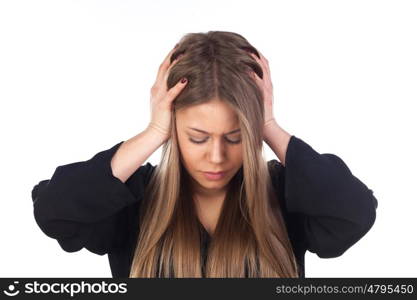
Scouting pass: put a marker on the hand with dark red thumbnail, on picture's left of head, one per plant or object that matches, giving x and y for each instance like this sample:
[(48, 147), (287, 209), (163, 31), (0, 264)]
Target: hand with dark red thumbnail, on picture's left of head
[(161, 98)]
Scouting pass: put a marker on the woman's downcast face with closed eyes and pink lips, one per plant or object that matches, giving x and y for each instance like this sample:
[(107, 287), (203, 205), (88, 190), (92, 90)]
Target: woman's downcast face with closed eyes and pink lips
[(209, 141)]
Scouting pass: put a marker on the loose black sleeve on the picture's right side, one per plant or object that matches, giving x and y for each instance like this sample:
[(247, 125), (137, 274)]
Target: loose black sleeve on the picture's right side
[(326, 205)]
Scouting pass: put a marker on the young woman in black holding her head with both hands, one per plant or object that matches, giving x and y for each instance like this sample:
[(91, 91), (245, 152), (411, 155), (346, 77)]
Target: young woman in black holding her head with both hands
[(178, 219)]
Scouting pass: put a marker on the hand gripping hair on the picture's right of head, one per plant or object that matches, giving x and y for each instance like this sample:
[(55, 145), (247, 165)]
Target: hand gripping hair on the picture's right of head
[(266, 86)]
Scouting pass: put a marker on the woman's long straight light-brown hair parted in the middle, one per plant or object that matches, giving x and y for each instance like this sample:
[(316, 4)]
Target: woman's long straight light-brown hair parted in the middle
[(250, 239)]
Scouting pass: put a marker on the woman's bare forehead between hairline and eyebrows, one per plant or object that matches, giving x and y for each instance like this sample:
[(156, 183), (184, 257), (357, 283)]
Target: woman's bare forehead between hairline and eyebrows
[(214, 116)]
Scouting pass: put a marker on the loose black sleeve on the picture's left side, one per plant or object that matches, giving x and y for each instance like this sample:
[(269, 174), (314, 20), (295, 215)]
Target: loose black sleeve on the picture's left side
[(85, 205)]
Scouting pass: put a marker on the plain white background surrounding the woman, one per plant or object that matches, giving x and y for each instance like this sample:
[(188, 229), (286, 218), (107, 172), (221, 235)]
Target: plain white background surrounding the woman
[(75, 79)]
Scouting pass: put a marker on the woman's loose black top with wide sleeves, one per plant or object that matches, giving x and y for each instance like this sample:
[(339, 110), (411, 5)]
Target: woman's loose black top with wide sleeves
[(325, 207)]
